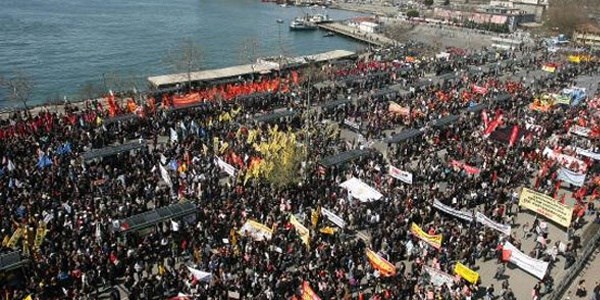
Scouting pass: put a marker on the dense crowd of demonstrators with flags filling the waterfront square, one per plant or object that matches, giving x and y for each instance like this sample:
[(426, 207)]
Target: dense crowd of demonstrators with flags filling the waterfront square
[(68, 210)]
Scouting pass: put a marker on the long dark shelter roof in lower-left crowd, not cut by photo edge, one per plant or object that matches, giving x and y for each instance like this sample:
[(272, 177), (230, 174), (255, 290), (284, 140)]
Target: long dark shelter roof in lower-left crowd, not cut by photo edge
[(156, 216)]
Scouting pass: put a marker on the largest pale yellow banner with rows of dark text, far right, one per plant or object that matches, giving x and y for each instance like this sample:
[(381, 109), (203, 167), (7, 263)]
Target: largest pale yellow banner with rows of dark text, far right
[(546, 206)]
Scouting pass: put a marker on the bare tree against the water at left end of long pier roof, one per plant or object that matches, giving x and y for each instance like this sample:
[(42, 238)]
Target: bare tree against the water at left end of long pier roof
[(185, 58)]
